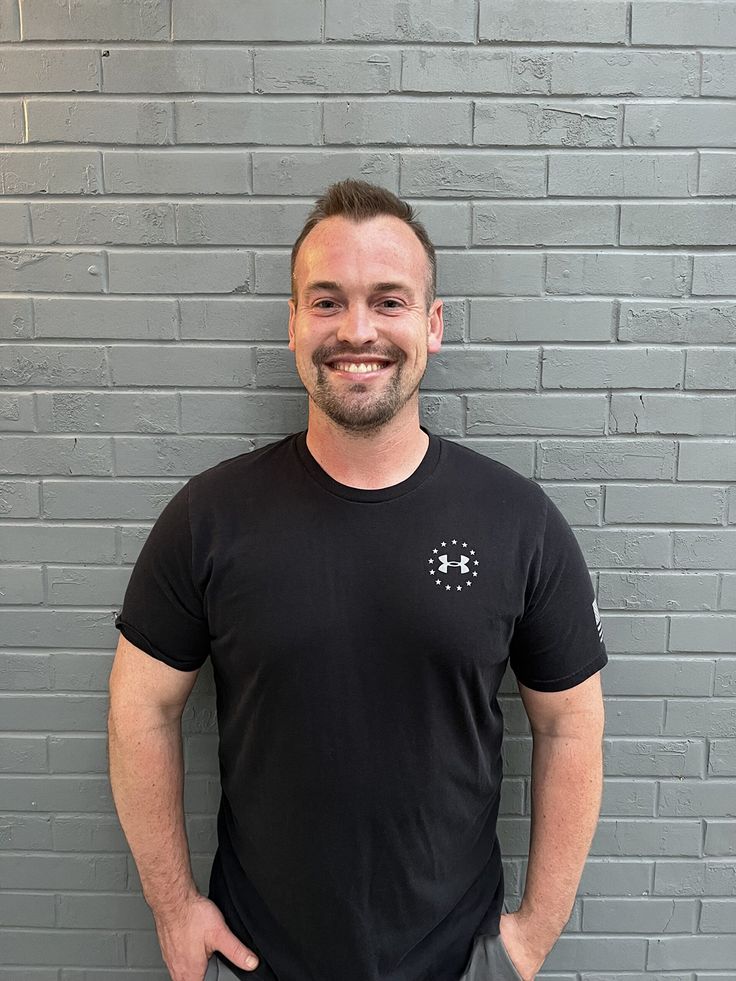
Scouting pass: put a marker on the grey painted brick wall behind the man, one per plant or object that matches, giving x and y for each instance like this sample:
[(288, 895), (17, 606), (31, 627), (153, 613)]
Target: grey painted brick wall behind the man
[(576, 164)]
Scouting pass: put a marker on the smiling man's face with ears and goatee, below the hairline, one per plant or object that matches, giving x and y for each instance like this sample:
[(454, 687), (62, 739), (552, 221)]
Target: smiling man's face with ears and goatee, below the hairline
[(361, 331)]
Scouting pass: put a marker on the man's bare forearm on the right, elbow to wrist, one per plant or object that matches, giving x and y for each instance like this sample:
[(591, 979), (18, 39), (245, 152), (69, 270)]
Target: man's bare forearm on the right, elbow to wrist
[(567, 781)]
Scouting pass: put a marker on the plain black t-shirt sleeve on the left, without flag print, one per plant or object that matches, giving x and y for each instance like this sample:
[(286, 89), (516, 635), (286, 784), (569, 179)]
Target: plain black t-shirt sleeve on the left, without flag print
[(162, 610)]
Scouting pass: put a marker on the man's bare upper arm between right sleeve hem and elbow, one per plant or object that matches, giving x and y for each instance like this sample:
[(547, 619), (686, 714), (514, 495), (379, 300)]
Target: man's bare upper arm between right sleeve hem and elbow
[(576, 712)]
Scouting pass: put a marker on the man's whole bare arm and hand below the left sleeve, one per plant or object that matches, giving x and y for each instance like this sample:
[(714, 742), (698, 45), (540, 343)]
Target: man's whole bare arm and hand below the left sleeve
[(147, 698)]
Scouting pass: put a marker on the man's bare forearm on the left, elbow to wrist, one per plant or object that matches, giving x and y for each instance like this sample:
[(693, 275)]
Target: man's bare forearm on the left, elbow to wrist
[(147, 777)]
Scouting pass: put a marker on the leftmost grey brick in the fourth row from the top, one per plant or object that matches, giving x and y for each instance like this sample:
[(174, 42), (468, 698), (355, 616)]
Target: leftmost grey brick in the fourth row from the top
[(40, 171)]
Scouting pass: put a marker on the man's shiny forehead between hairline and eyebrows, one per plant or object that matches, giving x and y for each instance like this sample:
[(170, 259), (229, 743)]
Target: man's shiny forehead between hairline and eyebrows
[(380, 248)]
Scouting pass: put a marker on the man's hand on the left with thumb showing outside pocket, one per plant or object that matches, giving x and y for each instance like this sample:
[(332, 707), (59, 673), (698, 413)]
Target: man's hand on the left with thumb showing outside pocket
[(191, 935)]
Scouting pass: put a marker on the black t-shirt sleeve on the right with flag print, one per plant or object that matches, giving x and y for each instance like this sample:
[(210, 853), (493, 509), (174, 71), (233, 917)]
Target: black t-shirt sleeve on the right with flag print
[(558, 641)]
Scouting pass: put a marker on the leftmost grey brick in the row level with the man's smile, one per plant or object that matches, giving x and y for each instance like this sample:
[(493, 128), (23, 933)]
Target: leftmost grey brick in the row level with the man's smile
[(50, 364)]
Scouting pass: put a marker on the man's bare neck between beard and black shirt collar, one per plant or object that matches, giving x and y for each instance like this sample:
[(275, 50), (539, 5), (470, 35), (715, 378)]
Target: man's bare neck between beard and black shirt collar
[(369, 461)]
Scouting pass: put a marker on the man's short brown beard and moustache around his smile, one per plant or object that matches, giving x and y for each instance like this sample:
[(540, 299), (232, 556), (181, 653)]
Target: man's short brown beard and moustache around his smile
[(356, 409)]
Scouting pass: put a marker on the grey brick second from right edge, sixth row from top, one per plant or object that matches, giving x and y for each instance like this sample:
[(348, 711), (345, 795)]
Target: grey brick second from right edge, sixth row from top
[(633, 273)]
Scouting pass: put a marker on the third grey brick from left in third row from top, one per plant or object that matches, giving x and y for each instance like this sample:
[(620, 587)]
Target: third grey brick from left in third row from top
[(265, 121)]
